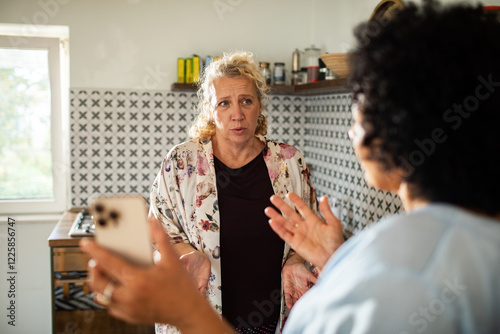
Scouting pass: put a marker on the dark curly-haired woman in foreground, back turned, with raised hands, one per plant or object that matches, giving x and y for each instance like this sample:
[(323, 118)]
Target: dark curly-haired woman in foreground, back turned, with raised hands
[(425, 116)]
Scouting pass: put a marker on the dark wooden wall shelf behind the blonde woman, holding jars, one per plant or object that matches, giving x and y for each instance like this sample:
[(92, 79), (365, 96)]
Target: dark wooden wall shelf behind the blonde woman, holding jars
[(315, 88)]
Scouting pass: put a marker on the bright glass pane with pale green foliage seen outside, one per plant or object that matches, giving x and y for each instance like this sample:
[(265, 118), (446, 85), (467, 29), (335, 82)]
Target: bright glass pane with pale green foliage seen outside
[(25, 136)]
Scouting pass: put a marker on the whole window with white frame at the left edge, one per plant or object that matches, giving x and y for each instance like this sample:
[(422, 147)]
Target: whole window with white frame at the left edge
[(34, 113)]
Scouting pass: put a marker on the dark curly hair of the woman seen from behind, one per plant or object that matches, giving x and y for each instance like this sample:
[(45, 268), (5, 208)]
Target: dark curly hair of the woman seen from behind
[(430, 78)]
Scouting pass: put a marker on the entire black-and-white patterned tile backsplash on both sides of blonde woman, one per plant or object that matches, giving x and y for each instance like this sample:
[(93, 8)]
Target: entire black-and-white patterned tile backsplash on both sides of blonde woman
[(119, 138)]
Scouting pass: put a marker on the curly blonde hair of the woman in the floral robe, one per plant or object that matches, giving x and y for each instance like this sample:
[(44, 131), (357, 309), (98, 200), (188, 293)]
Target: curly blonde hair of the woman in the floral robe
[(231, 65)]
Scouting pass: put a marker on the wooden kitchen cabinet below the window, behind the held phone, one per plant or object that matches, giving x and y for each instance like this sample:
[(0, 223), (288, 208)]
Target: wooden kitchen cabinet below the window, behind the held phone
[(69, 273)]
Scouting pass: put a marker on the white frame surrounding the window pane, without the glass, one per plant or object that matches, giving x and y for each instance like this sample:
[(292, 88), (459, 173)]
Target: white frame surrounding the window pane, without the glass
[(55, 39)]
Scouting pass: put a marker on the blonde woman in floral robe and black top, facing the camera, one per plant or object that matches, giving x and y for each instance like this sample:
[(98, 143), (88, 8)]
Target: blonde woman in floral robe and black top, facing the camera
[(210, 196)]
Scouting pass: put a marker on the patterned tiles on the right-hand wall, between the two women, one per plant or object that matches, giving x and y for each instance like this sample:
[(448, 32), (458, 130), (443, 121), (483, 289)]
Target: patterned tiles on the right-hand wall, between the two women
[(336, 170)]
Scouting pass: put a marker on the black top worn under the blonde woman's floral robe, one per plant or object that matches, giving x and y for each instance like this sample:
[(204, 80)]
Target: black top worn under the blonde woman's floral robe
[(251, 253)]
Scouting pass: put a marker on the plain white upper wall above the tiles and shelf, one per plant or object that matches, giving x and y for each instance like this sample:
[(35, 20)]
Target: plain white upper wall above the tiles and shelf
[(135, 43)]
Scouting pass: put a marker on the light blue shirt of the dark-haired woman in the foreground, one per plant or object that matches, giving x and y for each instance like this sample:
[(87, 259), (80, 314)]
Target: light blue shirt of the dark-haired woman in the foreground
[(435, 270)]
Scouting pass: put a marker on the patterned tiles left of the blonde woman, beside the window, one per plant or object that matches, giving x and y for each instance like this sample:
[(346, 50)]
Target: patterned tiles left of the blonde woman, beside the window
[(118, 138)]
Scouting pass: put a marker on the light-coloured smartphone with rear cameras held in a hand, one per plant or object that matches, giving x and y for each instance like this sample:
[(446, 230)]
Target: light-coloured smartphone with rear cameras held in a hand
[(121, 225)]
